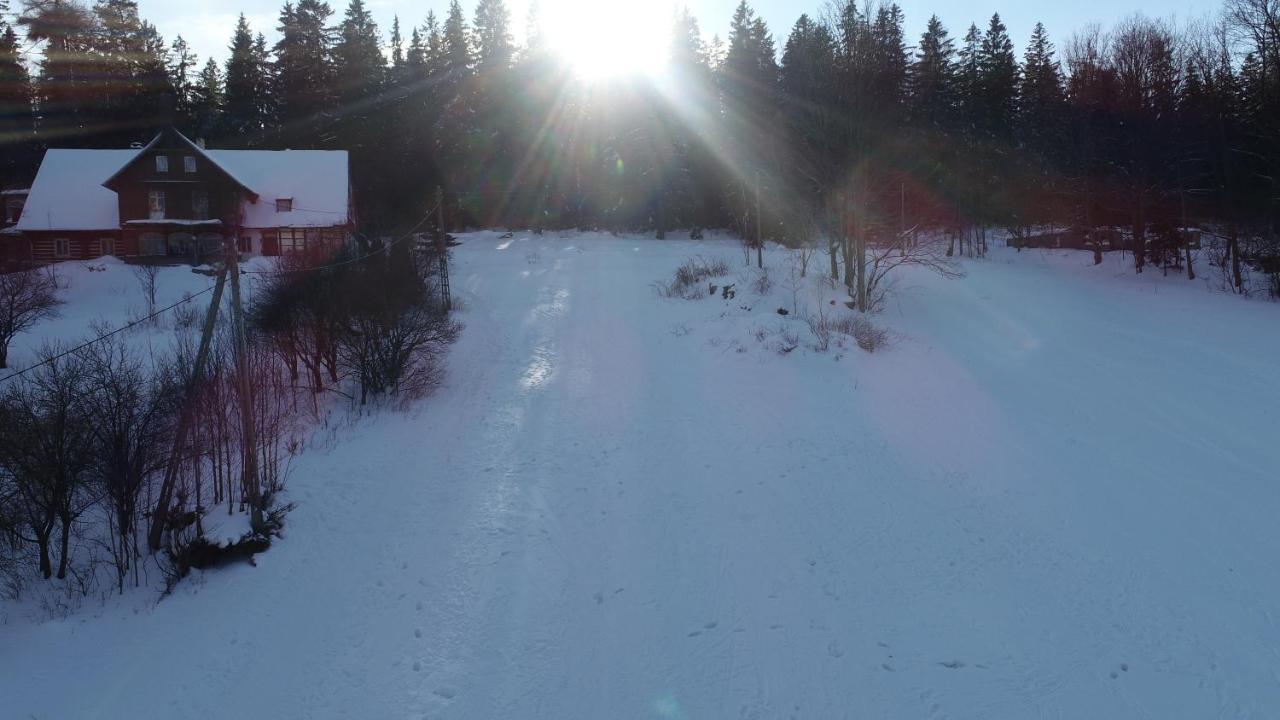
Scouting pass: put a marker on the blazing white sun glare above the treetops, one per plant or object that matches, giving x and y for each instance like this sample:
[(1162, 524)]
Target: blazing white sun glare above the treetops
[(605, 39)]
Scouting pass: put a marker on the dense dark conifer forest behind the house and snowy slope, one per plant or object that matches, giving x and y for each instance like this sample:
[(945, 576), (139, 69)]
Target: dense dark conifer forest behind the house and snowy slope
[(849, 131)]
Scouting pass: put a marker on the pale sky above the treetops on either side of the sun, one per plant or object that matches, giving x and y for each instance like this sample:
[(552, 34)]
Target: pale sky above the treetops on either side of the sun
[(208, 25)]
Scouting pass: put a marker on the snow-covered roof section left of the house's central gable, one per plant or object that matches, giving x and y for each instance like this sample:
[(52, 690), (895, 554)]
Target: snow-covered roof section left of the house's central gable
[(68, 193)]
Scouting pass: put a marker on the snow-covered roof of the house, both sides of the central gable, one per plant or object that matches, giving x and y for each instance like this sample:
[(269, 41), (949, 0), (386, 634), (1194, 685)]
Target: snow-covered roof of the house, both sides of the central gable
[(68, 193)]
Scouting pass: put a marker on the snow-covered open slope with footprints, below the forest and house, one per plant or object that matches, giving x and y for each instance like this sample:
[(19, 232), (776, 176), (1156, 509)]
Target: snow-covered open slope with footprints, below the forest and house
[(1055, 495)]
